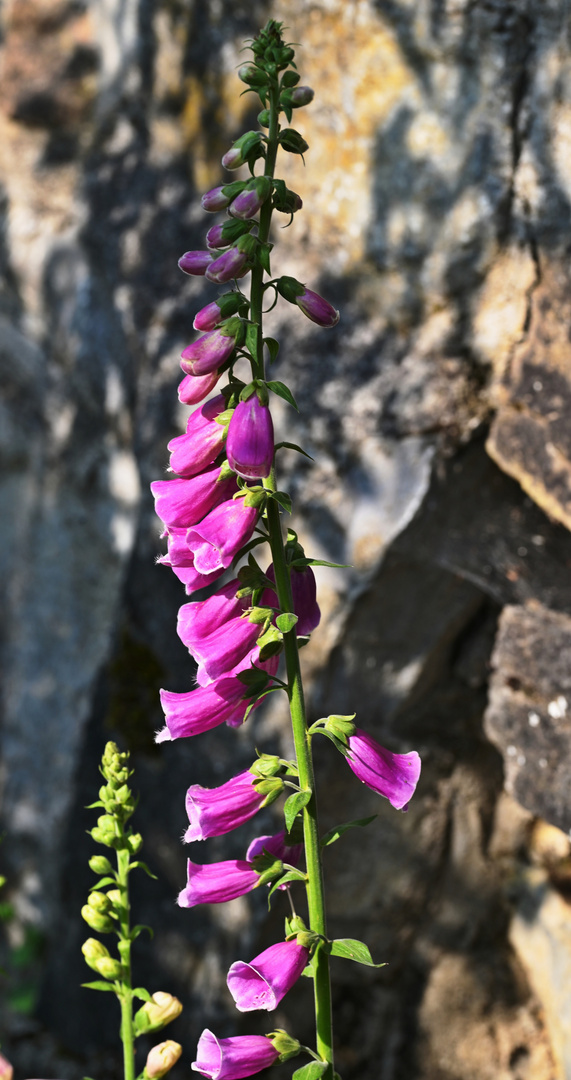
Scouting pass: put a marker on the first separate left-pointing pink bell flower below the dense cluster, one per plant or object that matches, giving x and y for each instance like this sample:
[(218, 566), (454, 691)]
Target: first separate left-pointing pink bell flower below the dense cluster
[(214, 812)]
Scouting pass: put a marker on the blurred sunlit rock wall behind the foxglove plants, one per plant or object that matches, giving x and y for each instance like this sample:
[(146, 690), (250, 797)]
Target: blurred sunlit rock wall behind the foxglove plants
[(438, 218)]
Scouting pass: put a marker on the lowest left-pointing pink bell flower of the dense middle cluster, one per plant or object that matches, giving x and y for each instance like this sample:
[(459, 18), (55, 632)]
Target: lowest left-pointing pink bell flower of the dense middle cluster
[(198, 711)]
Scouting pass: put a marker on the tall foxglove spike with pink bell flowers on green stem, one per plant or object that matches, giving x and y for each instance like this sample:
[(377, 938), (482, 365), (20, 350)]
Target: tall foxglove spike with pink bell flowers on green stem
[(226, 503)]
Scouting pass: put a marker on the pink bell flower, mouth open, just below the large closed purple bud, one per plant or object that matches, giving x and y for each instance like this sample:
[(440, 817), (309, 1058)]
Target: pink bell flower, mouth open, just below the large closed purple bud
[(221, 535)]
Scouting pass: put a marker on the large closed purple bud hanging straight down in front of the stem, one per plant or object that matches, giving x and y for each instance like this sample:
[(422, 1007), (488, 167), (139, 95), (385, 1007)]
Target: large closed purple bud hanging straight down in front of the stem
[(250, 444)]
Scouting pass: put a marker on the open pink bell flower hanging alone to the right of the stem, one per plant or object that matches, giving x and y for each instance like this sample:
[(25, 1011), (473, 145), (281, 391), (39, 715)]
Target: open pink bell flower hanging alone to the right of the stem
[(395, 776)]
